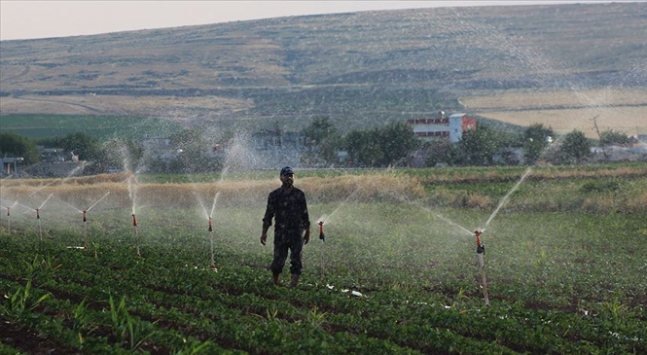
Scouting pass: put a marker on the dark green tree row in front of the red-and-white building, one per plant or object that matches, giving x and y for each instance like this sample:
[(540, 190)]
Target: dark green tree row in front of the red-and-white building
[(395, 145)]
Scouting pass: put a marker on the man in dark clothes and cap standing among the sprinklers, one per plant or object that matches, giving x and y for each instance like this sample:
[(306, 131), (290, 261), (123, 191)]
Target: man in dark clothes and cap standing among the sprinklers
[(287, 205)]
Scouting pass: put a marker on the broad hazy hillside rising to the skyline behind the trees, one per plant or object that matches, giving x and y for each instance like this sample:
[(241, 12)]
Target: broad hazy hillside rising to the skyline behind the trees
[(360, 69)]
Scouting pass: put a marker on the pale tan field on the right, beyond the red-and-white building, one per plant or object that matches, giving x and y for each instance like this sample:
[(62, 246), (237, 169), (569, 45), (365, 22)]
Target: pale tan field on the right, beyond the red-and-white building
[(623, 111)]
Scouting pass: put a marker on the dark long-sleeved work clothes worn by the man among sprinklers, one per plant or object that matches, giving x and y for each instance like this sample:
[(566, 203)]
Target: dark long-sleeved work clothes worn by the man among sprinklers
[(290, 213)]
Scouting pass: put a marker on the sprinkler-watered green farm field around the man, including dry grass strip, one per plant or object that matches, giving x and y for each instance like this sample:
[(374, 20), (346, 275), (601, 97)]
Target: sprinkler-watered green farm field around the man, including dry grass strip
[(397, 272)]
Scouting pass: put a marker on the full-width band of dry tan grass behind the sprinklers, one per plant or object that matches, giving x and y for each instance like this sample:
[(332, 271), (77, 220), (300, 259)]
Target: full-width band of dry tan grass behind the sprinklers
[(561, 191)]
